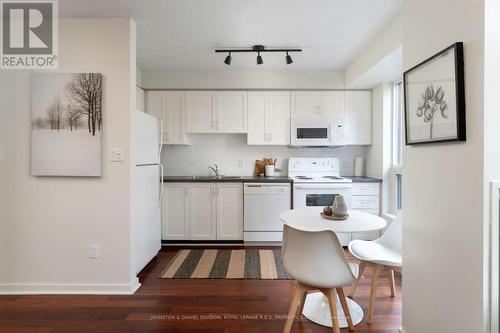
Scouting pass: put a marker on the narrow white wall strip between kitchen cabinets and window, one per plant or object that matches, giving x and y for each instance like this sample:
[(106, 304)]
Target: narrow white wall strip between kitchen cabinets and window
[(379, 154)]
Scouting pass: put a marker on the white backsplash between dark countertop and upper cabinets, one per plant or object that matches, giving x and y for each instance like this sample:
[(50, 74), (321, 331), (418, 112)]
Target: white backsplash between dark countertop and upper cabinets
[(227, 149)]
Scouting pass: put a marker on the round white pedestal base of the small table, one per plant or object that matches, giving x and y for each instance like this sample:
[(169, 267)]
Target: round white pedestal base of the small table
[(317, 310)]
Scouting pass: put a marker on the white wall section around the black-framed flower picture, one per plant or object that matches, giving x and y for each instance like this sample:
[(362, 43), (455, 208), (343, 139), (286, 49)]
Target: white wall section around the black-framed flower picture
[(443, 218)]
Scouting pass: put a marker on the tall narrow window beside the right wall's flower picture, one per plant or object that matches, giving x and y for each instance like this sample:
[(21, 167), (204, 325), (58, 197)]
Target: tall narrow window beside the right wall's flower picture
[(397, 146)]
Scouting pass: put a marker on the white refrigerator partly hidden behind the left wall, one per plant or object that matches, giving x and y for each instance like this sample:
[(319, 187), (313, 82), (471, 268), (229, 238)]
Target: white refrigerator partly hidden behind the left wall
[(146, 190)]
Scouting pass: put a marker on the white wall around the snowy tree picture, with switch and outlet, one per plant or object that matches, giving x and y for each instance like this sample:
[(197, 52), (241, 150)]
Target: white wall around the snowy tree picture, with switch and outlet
[(48, 223)]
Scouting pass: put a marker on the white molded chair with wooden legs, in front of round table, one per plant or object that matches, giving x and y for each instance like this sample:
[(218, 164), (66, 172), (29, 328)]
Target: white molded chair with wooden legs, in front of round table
[(317, 261)]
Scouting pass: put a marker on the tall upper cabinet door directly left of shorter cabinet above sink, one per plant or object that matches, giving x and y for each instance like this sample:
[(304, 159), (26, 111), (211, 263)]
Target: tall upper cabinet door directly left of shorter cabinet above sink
[(174, 118)]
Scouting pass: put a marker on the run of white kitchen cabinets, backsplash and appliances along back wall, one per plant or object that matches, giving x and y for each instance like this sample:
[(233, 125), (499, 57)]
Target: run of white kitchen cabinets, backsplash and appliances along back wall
[(309, 133)]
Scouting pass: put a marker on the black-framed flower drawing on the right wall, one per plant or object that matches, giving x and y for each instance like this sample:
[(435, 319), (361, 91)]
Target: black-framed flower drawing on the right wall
[(434, 98)]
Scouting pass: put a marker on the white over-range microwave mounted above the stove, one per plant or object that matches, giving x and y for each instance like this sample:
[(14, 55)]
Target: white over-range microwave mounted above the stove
[(317, 133)]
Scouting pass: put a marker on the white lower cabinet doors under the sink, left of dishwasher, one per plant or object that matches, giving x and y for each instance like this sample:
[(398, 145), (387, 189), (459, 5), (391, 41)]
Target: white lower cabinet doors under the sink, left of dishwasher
[(202, 211)]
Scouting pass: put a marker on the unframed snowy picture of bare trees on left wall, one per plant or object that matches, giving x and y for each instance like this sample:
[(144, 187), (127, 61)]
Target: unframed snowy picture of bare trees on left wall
[(66, 124)]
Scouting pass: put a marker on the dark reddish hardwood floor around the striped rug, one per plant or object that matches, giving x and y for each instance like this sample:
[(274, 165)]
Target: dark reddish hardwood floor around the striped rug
[(182, 306)]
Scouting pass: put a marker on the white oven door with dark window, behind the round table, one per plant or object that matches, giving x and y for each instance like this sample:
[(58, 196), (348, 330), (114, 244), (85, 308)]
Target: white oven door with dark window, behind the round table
[(320, 195)]
